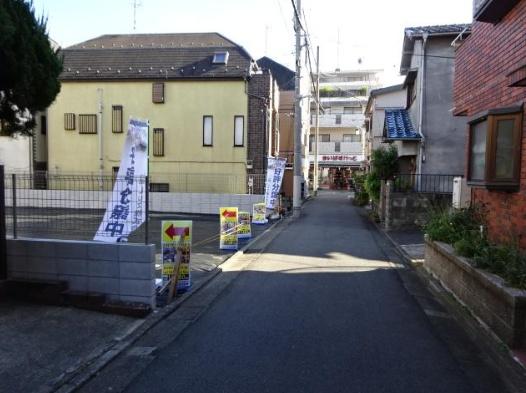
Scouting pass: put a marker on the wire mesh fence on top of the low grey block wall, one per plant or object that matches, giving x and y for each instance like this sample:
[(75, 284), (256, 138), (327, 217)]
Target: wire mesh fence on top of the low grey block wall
[(69, 207)]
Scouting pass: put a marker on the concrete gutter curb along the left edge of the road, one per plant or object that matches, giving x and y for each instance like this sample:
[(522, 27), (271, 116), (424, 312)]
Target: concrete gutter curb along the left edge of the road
[(85, 369)]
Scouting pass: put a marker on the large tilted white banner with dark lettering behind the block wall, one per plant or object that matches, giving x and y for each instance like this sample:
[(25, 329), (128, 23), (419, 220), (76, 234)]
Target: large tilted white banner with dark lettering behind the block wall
[(126, 209)]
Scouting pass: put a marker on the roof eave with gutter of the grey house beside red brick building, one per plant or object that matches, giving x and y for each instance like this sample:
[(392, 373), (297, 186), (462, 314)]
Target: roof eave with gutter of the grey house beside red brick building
[(412, 33)]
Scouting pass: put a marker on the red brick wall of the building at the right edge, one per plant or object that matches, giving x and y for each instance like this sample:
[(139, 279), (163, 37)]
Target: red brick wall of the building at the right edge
[(482, 64)]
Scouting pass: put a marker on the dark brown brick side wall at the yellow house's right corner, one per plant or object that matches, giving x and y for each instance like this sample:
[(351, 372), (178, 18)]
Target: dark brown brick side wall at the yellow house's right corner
[(259, 89)]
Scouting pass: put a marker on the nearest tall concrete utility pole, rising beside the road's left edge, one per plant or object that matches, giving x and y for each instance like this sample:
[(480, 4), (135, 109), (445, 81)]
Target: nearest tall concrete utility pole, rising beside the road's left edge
[(298, 170)]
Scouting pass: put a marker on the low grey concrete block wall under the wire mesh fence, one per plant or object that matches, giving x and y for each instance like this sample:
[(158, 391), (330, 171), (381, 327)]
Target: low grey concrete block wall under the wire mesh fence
[(122, 272)]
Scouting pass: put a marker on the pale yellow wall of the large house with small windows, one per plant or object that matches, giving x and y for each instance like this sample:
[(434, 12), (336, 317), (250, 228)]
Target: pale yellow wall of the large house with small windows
[(181, 116)]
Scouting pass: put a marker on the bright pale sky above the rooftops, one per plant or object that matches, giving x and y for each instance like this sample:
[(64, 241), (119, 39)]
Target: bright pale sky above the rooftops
[(347, 31)]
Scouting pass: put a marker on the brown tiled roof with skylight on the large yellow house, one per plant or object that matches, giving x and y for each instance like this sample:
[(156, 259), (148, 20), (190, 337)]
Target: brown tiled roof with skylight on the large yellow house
[(156, 56)]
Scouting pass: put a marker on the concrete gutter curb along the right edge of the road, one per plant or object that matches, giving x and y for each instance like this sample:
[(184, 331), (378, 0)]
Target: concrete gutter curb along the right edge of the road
[(511, 370)]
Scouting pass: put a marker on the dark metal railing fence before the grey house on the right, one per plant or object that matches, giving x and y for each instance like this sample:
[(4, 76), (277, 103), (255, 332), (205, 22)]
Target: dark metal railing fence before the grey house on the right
[(424, 184)]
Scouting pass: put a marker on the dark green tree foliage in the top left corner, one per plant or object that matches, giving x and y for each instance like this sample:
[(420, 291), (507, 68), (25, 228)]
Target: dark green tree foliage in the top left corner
[(29, 66)]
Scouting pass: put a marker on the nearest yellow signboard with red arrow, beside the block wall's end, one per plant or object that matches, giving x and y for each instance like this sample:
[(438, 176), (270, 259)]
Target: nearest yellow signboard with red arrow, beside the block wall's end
[(176, 247)]
